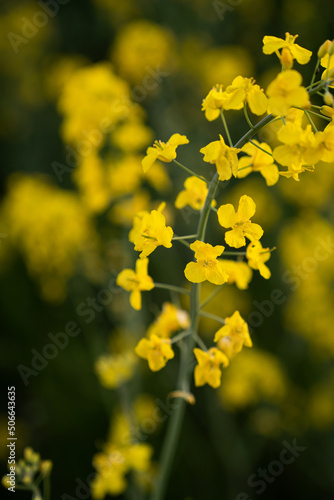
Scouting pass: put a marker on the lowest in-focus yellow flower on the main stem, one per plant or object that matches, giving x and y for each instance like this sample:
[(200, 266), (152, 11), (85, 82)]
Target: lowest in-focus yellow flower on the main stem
[(208, 369)]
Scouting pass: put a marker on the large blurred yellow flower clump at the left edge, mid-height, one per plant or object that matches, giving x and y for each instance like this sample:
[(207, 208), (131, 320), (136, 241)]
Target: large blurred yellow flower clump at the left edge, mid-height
[(50, 227)]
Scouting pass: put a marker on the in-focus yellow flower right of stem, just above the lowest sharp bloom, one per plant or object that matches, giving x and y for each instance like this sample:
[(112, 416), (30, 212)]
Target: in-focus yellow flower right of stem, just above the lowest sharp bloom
[(233, 335)]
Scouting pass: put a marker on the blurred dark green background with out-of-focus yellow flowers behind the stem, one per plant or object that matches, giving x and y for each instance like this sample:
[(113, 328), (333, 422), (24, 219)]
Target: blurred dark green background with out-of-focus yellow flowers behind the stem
[(68, 193)]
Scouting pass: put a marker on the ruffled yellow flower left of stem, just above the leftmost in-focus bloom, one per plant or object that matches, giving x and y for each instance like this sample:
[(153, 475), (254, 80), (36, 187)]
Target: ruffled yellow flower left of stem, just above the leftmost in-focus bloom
[(149, 231)]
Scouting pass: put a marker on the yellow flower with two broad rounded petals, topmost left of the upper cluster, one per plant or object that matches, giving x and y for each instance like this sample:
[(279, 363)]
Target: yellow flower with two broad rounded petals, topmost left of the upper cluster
[(244, 90)]
